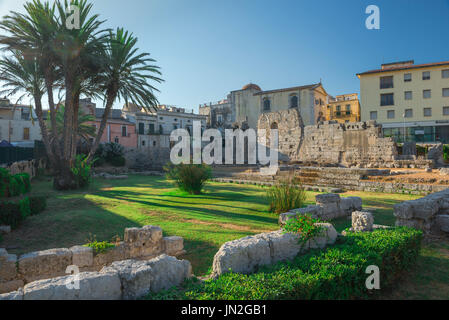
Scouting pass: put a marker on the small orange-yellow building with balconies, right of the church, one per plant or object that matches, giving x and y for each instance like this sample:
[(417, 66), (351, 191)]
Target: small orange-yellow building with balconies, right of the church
[(344, 108)]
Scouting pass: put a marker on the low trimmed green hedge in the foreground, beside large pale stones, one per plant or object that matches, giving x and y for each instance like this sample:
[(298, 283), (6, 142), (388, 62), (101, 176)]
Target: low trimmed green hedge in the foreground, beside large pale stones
[(335, 273)]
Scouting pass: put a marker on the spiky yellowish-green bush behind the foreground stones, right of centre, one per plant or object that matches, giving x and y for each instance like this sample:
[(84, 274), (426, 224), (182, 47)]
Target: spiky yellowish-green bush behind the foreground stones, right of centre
[(286, 196)]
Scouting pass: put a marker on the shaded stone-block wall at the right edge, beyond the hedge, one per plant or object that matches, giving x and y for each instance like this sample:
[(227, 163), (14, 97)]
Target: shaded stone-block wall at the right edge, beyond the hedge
[(430, 214)]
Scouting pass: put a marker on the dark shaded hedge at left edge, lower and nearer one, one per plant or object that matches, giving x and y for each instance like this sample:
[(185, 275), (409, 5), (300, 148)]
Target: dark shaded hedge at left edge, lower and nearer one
[(12, 213)]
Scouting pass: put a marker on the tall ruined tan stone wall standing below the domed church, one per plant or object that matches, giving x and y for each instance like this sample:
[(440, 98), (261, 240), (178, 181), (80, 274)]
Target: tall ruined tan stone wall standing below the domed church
[(351, 144)]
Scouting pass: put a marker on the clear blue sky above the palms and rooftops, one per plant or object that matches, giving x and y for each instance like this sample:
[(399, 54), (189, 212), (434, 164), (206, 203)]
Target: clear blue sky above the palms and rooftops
[(207, 48)]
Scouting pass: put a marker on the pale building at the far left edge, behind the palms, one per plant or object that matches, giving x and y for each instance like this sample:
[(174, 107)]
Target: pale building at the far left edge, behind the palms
[(18, 124)]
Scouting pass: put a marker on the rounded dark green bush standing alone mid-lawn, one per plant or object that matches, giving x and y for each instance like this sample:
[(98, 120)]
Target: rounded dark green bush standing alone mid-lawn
[(189, 177)]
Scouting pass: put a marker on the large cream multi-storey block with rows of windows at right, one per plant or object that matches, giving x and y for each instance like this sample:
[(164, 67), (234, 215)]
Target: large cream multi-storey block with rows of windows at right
[(409, 100)]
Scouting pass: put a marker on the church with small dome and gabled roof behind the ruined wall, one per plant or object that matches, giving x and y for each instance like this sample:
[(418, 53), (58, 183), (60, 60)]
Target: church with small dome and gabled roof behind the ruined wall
[(247, 104)]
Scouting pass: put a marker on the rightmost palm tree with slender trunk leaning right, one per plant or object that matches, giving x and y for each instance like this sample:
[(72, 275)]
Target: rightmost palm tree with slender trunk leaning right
[(126, 77)]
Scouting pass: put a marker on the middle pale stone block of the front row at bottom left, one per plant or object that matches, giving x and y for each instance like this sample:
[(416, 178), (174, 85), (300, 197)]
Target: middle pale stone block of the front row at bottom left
[(135, 276)]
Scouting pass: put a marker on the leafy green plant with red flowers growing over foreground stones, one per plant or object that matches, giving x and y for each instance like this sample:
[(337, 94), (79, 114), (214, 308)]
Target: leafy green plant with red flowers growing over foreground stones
[(304, 226)]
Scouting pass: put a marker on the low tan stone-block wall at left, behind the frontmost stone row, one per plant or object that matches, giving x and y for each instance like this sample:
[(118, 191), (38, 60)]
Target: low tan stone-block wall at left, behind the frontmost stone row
[(139, 243)]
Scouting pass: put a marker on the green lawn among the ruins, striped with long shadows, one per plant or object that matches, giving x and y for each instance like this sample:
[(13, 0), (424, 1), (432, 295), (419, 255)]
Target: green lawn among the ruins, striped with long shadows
[(224, 212)]
